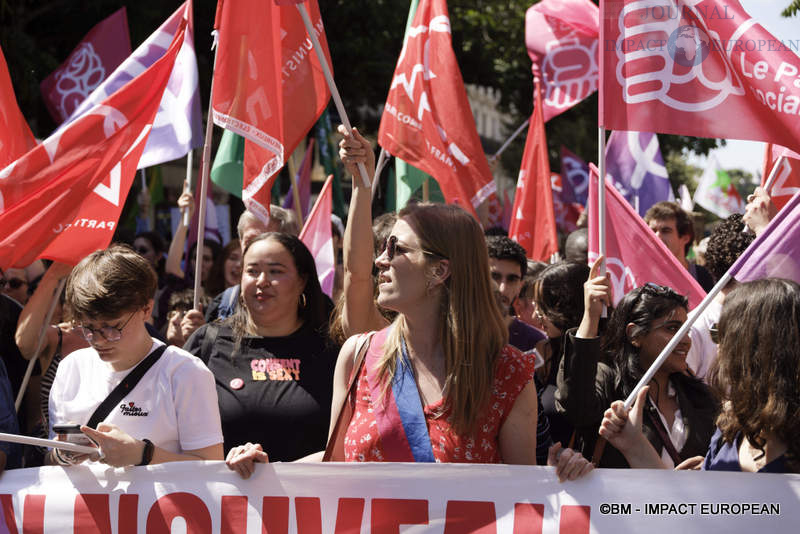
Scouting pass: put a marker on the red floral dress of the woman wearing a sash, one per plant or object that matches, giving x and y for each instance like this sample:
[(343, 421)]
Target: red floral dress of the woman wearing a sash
[(513, 372)]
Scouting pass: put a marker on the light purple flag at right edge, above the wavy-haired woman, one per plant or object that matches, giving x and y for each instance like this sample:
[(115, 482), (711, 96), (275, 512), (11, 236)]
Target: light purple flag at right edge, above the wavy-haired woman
[(776, 252)]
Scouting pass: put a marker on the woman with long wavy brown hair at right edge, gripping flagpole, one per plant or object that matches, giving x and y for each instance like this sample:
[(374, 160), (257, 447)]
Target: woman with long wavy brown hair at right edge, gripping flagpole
[(757, 375)]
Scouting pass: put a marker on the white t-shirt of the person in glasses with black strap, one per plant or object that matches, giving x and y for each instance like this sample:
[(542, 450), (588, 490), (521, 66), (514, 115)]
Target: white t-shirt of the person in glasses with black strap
[(174, 405)]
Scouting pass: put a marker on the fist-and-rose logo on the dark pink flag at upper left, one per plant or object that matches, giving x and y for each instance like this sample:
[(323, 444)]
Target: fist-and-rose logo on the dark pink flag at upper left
[(83, 74)]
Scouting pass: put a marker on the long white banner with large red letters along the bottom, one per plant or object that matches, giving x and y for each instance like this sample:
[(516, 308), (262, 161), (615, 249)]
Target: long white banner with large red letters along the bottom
[(199, 498)]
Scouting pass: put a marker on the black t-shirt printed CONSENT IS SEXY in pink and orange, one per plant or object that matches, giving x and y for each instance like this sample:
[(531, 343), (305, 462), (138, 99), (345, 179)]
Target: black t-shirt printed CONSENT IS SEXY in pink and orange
[(285, 388)]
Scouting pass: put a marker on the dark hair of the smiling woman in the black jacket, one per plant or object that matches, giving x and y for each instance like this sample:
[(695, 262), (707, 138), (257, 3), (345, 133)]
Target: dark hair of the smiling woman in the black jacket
[(642, 307)]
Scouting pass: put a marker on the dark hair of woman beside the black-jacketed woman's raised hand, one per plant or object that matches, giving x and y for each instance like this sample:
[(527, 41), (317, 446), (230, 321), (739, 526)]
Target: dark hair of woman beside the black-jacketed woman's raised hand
[(558, 292)]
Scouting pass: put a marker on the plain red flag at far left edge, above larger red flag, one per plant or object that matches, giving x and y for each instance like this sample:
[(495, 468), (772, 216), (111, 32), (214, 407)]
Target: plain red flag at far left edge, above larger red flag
[(15, 134)]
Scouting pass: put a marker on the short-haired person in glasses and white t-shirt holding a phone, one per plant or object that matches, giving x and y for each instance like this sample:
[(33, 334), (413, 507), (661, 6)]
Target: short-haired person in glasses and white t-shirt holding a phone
[(167, 413)]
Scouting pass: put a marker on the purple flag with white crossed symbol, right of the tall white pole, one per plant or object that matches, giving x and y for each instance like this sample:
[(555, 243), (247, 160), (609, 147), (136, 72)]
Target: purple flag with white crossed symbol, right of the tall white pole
[(634, 162)]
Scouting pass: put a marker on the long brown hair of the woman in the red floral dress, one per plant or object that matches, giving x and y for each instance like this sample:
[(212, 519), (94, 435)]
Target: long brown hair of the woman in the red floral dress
[(471, 329)]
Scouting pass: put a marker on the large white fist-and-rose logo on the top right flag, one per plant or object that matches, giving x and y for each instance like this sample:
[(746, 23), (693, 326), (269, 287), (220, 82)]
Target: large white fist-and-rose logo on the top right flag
[(667, 59)]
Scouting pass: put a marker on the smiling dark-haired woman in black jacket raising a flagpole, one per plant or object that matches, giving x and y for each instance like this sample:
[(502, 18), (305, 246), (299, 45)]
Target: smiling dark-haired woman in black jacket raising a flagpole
[(680, 412)]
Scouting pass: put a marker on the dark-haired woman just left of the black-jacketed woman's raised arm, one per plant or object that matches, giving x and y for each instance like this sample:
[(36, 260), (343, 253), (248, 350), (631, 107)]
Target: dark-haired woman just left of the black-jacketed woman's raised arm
[(558, 294)]
